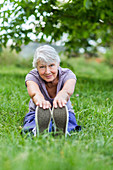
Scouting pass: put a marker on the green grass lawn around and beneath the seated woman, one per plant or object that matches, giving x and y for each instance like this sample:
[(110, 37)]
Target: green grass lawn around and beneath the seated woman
[(90, 149)]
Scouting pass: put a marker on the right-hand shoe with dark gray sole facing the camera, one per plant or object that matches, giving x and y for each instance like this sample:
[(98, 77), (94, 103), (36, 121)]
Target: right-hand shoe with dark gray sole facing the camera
[(60, 118)]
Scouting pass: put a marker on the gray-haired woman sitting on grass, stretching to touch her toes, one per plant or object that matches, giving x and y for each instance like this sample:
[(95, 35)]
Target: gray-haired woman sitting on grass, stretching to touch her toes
[(50, 88)]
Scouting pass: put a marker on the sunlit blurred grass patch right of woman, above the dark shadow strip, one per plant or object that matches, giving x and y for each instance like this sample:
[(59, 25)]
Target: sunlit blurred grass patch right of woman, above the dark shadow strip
[(91, 68)]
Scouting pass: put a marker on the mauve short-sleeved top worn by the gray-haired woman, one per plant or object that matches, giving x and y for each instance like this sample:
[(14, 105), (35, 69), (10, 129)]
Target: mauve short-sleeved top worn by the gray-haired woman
[(64, 75)]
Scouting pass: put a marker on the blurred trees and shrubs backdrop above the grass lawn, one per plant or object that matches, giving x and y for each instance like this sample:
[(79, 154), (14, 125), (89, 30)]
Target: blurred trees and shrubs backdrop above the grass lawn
[(75, 28)]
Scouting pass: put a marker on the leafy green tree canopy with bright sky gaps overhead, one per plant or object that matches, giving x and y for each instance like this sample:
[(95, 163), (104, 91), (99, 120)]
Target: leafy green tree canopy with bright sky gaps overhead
[(80, 20)]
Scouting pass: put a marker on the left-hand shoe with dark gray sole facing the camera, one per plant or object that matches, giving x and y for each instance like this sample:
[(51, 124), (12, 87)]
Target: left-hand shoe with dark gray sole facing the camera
[(42, 119)]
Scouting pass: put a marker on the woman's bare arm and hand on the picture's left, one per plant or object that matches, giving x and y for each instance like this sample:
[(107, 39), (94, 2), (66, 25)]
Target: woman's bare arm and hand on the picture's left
[(36, 95)]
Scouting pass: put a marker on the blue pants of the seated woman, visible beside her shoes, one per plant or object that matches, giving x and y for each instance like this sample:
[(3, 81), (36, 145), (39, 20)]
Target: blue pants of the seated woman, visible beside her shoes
[(29, 122)]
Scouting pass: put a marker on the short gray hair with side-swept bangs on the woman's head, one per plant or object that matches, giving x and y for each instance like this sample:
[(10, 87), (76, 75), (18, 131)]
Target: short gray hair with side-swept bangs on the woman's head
[(47, 54)]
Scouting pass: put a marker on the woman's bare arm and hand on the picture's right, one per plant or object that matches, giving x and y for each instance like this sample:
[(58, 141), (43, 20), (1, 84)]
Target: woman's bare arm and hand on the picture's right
[(66, 92)]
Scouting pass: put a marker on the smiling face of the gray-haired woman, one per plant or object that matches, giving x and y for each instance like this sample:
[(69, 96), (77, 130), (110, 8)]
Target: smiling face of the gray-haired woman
[(48, 72)]
